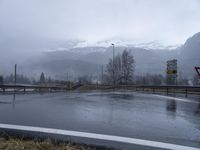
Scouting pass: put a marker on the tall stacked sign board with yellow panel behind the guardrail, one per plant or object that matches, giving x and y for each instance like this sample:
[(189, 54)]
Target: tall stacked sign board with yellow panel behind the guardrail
[(172, 72)]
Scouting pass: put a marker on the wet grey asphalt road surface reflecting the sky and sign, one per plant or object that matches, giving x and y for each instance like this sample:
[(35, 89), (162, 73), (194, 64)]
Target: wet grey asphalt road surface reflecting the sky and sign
[(126, 114)]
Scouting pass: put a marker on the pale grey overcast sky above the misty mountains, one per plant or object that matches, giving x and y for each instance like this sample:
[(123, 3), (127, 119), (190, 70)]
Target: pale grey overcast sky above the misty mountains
[(168, 21)]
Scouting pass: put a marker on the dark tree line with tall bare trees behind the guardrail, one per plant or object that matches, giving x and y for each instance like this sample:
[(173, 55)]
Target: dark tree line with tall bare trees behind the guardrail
[(119, 71)]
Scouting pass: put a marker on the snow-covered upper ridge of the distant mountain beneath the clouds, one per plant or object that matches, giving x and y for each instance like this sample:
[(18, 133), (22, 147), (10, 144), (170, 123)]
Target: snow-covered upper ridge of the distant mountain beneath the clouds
[(77, 46)]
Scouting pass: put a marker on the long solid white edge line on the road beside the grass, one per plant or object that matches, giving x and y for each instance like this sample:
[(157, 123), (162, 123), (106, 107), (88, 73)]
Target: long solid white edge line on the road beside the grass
[(99, 137)]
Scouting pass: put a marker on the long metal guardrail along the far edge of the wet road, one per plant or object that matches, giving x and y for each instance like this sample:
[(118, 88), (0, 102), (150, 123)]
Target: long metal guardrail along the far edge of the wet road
[(168, 89)]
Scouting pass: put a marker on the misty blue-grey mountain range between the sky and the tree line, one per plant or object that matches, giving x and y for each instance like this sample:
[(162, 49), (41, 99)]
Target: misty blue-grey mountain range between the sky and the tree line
[(63, 59)]
